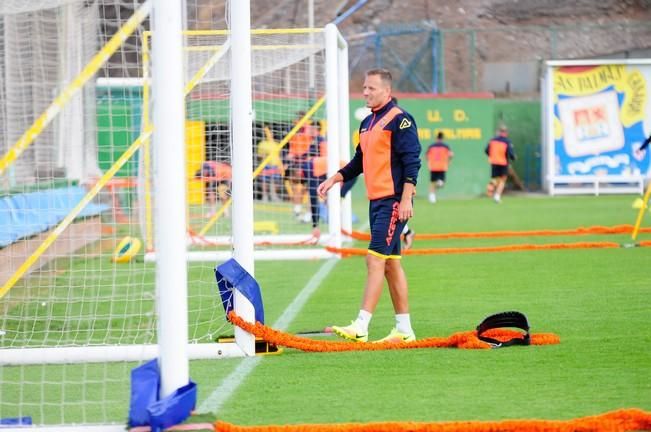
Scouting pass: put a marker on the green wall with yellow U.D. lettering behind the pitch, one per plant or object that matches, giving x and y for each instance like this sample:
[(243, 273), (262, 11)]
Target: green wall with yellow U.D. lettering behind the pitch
[(468, 124)]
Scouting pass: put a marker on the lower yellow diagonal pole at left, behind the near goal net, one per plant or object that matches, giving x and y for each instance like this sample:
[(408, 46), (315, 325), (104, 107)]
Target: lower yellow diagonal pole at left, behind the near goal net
[(73, 213)]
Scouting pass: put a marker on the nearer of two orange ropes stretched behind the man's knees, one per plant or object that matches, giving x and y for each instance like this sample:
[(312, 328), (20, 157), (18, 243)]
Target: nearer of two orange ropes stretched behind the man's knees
[(346, 252)]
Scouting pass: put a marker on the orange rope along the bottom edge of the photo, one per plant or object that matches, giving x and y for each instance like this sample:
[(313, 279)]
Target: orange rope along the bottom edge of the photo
[(632, 419)]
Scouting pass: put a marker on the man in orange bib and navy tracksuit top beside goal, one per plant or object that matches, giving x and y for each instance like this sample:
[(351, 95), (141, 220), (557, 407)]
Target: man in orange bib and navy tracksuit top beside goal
[(389, 157)]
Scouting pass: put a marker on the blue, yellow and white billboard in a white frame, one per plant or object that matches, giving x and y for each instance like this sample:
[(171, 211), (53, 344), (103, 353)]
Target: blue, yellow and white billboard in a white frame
[(595, 118)]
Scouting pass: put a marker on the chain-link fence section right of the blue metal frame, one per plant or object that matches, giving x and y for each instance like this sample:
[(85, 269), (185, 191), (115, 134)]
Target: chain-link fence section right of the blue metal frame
[(507, 60)]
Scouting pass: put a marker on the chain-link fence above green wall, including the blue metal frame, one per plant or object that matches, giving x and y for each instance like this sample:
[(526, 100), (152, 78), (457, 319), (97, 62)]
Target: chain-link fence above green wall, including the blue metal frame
[(504, 60)]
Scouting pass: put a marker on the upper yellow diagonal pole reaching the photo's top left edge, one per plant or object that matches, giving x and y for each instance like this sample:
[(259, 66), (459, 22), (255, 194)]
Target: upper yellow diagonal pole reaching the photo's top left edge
[(69, 91)]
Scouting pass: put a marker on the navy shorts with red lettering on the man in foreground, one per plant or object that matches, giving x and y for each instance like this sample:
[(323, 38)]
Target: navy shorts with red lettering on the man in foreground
[(386, 228)]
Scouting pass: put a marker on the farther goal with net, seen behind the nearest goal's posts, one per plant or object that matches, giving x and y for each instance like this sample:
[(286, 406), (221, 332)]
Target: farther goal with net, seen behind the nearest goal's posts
[(291, 142)]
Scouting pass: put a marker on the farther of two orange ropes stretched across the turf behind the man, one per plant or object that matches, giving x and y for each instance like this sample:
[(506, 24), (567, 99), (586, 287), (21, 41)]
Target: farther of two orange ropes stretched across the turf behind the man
[(617, 229)]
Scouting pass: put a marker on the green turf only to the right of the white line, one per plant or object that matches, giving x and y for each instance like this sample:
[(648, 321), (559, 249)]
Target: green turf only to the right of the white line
[(596, 300)]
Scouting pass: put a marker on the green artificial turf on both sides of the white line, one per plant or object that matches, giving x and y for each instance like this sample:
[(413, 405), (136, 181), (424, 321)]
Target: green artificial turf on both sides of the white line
[(597, 300)]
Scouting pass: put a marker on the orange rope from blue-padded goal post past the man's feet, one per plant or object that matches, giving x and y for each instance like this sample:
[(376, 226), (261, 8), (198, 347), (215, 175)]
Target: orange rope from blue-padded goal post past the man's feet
[(465, 340)]
